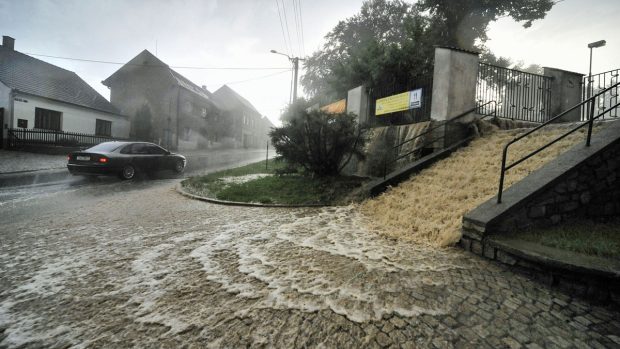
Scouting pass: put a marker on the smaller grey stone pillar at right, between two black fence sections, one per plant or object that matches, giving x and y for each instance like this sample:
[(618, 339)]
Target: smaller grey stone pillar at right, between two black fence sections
[(566, 92)]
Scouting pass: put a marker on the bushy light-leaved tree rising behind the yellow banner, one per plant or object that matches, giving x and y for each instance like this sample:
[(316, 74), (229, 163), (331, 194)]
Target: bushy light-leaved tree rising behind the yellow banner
[(387, 42)]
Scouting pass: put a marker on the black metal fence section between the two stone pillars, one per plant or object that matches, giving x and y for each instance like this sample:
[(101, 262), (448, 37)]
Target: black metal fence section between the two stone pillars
[(519, 95)]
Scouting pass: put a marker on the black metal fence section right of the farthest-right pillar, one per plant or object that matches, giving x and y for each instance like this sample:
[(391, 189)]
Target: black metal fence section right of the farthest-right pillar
[(605, 101)]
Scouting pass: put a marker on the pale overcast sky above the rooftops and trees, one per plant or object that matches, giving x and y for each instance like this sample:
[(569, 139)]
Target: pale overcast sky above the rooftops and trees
[(240, 33)]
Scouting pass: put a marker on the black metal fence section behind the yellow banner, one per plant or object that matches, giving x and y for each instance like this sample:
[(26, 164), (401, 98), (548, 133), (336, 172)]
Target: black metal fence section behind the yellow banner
[(421, 114)]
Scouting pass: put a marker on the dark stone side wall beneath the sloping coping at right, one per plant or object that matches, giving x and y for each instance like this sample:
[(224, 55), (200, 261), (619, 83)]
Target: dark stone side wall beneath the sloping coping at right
[(590, 190)]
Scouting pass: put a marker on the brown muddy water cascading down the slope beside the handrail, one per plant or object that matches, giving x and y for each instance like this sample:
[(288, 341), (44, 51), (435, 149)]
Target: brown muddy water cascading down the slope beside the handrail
[(428, 208)]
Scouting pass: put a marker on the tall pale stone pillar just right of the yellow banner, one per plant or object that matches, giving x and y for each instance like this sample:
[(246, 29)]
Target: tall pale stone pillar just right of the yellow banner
[(454, 82)]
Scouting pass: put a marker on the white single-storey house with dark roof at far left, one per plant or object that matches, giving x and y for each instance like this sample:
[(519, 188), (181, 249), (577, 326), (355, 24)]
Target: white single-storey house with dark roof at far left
[(38, 95)]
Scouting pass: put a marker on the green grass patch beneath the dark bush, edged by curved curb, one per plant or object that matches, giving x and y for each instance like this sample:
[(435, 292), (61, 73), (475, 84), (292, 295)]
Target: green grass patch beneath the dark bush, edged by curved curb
[(290, 189)]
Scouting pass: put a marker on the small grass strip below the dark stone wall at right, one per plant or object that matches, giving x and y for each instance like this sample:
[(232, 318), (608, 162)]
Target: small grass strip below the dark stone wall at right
[(587, 237)]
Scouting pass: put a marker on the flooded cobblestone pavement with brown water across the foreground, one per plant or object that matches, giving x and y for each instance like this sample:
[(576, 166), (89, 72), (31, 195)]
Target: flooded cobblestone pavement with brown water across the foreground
[(137, 265)]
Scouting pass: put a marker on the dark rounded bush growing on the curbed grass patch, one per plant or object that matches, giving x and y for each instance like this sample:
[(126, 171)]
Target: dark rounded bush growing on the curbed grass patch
[(320, 142)]
